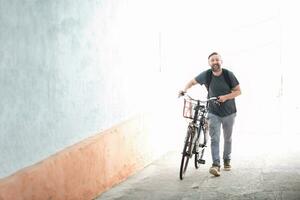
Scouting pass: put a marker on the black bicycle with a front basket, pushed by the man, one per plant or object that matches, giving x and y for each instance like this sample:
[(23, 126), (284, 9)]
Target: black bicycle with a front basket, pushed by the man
[(196, 137)]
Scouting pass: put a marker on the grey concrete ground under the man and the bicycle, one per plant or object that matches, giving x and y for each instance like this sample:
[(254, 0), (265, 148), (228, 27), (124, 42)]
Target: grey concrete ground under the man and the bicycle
[(268, 168)]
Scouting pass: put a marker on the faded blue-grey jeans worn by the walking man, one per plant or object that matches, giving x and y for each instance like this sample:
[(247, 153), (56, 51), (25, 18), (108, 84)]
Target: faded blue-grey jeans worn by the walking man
[(214, 124)]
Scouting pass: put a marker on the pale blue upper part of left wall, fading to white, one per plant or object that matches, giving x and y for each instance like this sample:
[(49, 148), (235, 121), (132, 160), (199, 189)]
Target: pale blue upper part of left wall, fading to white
[(69, 69)]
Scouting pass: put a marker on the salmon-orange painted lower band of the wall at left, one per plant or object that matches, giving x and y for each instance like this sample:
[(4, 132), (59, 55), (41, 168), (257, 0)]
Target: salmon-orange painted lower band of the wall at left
[(86, 169)]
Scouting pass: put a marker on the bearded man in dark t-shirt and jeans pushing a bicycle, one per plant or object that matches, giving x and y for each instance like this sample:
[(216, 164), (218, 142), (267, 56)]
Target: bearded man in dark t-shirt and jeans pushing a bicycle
[(223, 84)]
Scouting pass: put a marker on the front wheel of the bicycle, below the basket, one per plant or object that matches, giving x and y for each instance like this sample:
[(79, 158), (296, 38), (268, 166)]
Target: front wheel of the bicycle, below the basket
[(185, 154)]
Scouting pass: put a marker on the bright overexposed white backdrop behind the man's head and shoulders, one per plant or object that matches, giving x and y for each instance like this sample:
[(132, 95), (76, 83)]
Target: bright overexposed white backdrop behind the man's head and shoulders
[(258, 41)]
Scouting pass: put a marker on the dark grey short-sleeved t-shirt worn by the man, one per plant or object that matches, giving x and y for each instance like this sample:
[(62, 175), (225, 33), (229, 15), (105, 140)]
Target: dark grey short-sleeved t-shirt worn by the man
[(218, 86)]
